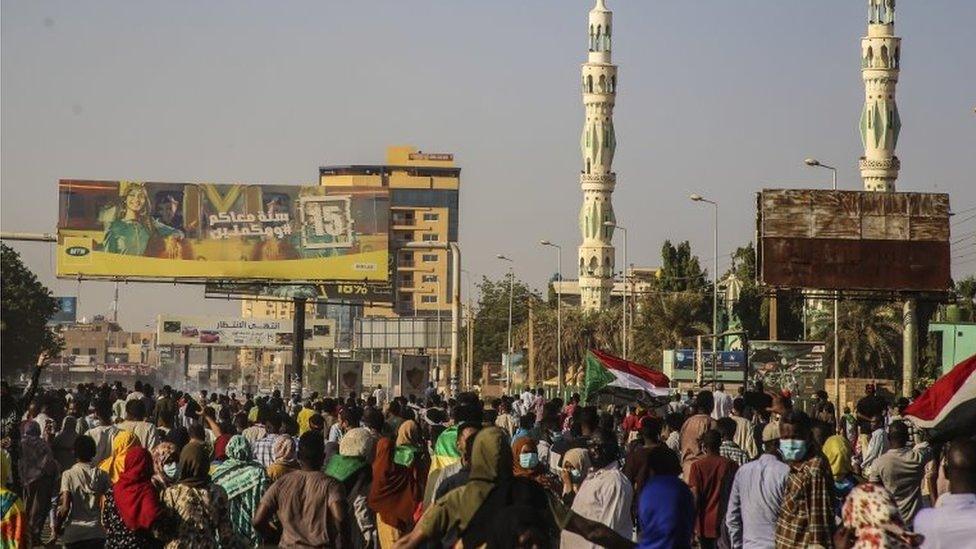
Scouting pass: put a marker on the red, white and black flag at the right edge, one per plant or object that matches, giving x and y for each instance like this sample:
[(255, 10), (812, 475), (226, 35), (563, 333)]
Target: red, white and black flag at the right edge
[(948, 407)]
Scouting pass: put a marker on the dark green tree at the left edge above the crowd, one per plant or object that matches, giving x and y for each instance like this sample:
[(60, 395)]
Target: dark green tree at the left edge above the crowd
[(26, 307)]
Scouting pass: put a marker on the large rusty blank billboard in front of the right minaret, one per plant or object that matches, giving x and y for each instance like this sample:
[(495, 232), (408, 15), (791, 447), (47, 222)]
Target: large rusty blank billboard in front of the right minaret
[(853, 240)]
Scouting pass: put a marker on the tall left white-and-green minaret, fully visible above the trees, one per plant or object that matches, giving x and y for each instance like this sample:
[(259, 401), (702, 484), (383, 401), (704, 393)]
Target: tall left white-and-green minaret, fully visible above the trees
[(596, 253)]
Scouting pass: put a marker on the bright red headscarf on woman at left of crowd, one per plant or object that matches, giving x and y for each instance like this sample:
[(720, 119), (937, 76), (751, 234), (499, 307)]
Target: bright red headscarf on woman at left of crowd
[(134, 494)]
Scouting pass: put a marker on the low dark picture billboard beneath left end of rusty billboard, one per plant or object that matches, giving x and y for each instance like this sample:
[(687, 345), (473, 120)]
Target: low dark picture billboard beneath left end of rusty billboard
[(796, 366)]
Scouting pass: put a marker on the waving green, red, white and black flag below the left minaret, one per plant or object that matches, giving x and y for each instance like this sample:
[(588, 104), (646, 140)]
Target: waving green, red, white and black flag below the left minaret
[(607, 374)]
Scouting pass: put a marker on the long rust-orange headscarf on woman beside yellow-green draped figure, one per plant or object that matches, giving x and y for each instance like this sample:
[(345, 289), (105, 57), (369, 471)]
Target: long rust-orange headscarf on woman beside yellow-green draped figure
[(396, 490)]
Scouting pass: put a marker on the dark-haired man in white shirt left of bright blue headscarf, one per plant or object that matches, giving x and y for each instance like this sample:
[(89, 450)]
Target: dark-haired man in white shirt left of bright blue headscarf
[(605, 494)]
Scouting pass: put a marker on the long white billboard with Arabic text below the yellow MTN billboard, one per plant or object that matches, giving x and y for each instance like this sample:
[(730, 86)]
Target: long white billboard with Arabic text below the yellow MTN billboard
[(242, 332)]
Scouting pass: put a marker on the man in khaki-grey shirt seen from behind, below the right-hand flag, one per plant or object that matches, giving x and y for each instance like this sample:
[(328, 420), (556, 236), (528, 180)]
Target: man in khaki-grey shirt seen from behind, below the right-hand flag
[(901, 469)]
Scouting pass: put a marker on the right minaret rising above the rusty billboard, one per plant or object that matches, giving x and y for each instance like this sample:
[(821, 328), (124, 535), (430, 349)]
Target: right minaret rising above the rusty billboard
[(880, 124)]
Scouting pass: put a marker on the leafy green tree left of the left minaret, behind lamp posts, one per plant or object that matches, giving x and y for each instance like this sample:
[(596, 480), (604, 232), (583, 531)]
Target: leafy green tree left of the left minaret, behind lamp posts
[(491, 321)]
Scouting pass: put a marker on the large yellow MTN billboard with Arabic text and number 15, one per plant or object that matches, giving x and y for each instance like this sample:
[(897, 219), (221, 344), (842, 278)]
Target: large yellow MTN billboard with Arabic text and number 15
[(239, 232)]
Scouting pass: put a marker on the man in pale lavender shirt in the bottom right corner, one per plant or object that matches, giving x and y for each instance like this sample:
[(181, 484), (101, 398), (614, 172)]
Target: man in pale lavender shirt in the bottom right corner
[(952, 523)]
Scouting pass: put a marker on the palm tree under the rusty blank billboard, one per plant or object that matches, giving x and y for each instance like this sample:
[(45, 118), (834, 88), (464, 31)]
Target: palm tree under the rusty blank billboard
[(869, 334)]
